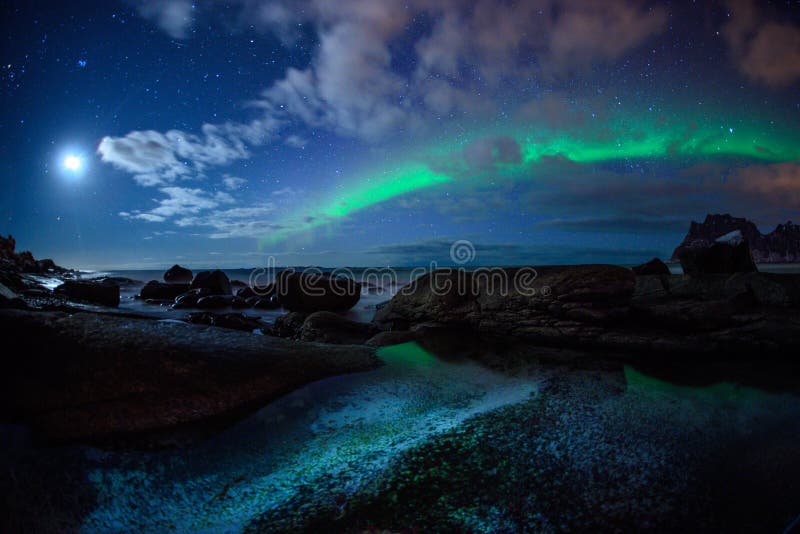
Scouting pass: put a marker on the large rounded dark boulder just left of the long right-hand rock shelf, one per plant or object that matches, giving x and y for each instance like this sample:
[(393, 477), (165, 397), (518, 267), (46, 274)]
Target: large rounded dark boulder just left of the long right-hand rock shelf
[(310, 292)]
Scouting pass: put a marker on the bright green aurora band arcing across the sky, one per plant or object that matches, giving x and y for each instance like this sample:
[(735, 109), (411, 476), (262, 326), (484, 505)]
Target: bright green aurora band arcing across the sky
[(622, 140)]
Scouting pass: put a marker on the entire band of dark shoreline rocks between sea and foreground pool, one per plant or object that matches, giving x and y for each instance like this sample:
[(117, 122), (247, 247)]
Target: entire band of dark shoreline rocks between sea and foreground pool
[(102, 375)]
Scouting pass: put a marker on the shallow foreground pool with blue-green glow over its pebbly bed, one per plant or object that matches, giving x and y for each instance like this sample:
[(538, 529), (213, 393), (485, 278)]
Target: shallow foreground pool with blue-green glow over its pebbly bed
[(451, 445)]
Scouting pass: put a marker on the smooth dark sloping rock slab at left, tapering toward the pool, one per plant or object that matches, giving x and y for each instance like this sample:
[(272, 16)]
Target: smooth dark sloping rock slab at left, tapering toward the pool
[(86, 376)]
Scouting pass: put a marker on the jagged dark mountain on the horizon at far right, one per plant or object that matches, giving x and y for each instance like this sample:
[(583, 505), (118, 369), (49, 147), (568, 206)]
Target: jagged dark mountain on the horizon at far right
[(782, 245)]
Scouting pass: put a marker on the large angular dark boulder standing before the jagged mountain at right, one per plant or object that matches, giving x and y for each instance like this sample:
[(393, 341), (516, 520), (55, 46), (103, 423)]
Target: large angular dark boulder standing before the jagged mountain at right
[(731, 255)]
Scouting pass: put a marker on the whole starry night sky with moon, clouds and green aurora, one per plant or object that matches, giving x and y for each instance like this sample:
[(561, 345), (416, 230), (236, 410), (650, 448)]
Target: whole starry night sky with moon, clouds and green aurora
[(362, 132)]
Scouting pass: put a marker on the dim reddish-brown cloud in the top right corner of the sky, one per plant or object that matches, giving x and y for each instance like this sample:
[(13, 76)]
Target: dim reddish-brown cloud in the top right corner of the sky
[(766, 51)]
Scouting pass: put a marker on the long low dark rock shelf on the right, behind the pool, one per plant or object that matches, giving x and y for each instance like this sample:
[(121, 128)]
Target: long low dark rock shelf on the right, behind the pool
[(607, 308)]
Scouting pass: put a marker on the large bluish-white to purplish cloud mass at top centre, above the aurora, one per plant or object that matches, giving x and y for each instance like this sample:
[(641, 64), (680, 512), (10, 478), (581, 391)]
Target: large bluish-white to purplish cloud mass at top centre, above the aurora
[(474, 51)]
